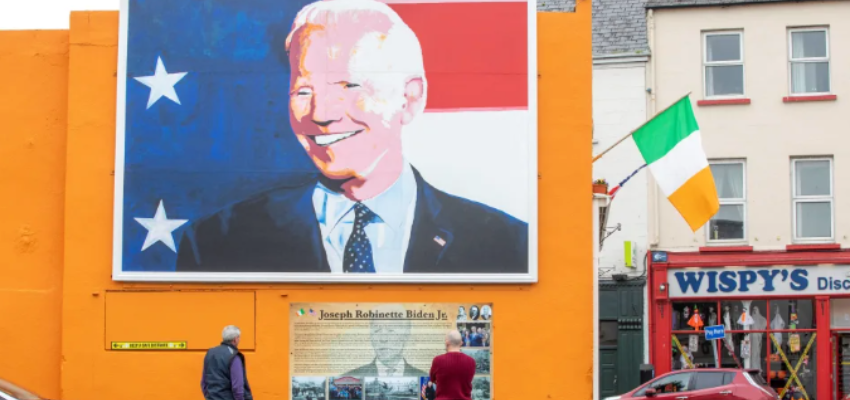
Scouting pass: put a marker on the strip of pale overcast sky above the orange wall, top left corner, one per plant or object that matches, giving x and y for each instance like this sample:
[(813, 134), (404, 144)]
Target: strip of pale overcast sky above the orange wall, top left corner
[(45, 14)]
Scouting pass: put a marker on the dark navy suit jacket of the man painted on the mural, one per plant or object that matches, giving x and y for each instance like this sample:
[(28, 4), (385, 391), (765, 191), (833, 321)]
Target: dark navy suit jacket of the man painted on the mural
[(277, 231)]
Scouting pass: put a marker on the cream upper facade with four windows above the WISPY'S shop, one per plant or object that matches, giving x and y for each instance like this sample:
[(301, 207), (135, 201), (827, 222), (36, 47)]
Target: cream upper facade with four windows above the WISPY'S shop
[(769, 82)]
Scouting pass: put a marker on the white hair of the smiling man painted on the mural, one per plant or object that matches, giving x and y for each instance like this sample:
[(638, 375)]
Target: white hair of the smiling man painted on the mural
[(387, 59)]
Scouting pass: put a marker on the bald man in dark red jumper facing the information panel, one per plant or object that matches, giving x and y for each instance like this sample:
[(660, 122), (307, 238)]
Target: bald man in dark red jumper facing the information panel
[(452, 372)]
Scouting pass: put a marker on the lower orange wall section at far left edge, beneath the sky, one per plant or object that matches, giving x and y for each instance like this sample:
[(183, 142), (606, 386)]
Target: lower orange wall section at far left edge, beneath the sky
[(33, 109)]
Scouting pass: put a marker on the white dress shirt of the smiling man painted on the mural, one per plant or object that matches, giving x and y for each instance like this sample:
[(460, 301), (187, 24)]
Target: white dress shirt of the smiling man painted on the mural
[(389, 232)]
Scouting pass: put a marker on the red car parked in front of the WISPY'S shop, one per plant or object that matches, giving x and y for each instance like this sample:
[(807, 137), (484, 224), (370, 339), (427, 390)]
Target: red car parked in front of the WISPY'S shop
[(704, 384)]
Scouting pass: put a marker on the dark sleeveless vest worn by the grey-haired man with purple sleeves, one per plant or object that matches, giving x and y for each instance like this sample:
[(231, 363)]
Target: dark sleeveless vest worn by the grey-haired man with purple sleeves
[(217, 372)]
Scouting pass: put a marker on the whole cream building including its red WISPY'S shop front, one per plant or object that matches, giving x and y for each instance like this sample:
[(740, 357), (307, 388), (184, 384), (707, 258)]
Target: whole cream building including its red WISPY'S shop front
[(769, 82)]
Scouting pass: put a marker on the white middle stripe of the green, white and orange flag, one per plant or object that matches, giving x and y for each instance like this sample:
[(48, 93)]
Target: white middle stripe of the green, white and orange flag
[(679, 164)]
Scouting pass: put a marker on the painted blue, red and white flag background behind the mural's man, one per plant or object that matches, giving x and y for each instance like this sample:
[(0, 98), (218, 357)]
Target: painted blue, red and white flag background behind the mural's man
[(229, 135)]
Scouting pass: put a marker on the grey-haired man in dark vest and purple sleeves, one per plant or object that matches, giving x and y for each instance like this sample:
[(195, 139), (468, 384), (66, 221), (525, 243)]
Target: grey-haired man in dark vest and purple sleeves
[(225, 376)]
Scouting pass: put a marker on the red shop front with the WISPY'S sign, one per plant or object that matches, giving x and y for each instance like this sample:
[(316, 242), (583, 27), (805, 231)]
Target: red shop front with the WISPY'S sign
[(784, 313)]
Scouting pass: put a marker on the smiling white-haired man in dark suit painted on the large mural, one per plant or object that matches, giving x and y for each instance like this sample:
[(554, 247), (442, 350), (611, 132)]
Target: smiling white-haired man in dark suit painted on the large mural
[(358, 79)]
